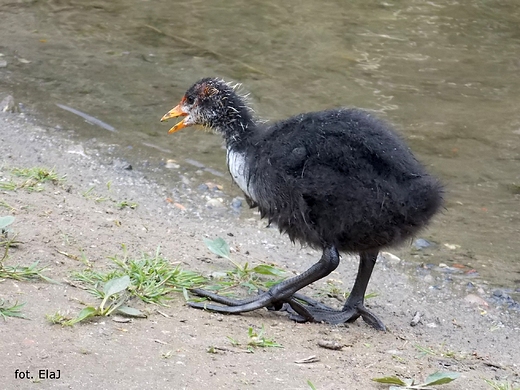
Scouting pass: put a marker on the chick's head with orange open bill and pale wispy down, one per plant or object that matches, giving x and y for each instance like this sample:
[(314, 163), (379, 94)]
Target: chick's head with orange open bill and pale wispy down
[(211, 103)]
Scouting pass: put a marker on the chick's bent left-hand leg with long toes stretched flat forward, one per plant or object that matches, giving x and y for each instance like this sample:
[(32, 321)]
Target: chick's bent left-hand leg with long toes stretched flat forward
[(276, 295)]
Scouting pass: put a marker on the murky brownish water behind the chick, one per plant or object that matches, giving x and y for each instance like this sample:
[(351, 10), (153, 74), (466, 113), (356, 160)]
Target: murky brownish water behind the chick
[(447, 73)]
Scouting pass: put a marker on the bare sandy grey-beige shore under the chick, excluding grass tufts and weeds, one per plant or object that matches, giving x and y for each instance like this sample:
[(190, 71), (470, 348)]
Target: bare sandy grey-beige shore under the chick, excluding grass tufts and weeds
[(477, 340)]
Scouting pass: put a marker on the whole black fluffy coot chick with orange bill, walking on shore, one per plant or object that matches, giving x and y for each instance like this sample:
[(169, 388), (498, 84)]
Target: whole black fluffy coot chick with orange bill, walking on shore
[(339, 180)]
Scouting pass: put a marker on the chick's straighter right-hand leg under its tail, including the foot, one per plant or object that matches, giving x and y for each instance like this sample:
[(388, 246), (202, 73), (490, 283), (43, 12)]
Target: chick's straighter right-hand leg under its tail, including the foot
[(305, 309)]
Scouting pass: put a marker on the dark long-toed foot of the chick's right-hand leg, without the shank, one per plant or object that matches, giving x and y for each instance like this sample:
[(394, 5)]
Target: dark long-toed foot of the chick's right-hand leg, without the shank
[(303, 309)]
